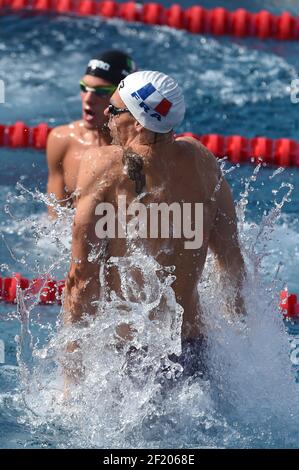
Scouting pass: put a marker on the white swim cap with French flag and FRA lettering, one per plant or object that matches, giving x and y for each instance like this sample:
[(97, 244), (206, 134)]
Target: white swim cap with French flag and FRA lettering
[(154, 99)]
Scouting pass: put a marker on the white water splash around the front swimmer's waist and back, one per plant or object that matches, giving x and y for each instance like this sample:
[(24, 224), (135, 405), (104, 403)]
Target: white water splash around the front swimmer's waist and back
[(124, 401)]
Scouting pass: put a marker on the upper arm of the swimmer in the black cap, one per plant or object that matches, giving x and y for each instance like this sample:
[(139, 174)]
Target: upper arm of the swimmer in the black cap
[(56, 148)]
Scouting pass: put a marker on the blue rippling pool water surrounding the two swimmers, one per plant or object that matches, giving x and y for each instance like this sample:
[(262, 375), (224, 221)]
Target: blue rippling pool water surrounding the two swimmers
[(231, 86)]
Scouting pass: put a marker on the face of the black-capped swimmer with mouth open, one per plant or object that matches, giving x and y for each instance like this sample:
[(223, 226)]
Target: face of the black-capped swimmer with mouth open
[(93, 105)]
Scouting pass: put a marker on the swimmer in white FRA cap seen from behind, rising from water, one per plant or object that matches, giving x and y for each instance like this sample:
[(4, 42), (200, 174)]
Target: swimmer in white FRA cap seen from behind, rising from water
[(146, 160)]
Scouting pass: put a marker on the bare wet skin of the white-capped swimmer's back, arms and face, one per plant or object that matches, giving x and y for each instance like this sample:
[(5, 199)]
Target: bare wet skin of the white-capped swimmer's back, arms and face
[(179, 170)]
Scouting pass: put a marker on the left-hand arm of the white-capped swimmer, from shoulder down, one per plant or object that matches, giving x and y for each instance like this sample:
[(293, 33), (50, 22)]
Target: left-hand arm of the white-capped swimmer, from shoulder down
[(82, 286)]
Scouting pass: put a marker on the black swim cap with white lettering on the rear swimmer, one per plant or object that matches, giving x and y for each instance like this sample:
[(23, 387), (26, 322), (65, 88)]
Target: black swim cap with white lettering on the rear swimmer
[(112, 66)]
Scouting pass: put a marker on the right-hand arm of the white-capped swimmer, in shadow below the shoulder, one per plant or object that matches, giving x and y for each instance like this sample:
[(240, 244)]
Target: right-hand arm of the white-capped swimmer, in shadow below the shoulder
[(224, 243)]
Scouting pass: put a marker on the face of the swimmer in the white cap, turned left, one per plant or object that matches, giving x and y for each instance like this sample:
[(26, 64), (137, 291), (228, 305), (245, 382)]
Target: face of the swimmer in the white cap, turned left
[(121, 126)]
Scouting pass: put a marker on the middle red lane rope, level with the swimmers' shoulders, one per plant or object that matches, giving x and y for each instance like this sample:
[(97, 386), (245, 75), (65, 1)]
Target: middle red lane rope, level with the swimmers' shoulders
[(238, 149)]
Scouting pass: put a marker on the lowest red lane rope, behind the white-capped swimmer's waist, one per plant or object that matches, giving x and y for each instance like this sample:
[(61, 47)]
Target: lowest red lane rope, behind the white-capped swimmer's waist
[(50, 291)]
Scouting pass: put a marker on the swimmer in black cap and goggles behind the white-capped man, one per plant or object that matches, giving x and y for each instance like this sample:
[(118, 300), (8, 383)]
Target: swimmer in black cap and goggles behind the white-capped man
[(66, 143)]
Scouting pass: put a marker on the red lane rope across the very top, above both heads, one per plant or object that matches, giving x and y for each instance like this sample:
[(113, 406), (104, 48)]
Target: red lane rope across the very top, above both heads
[(195, 19)]
